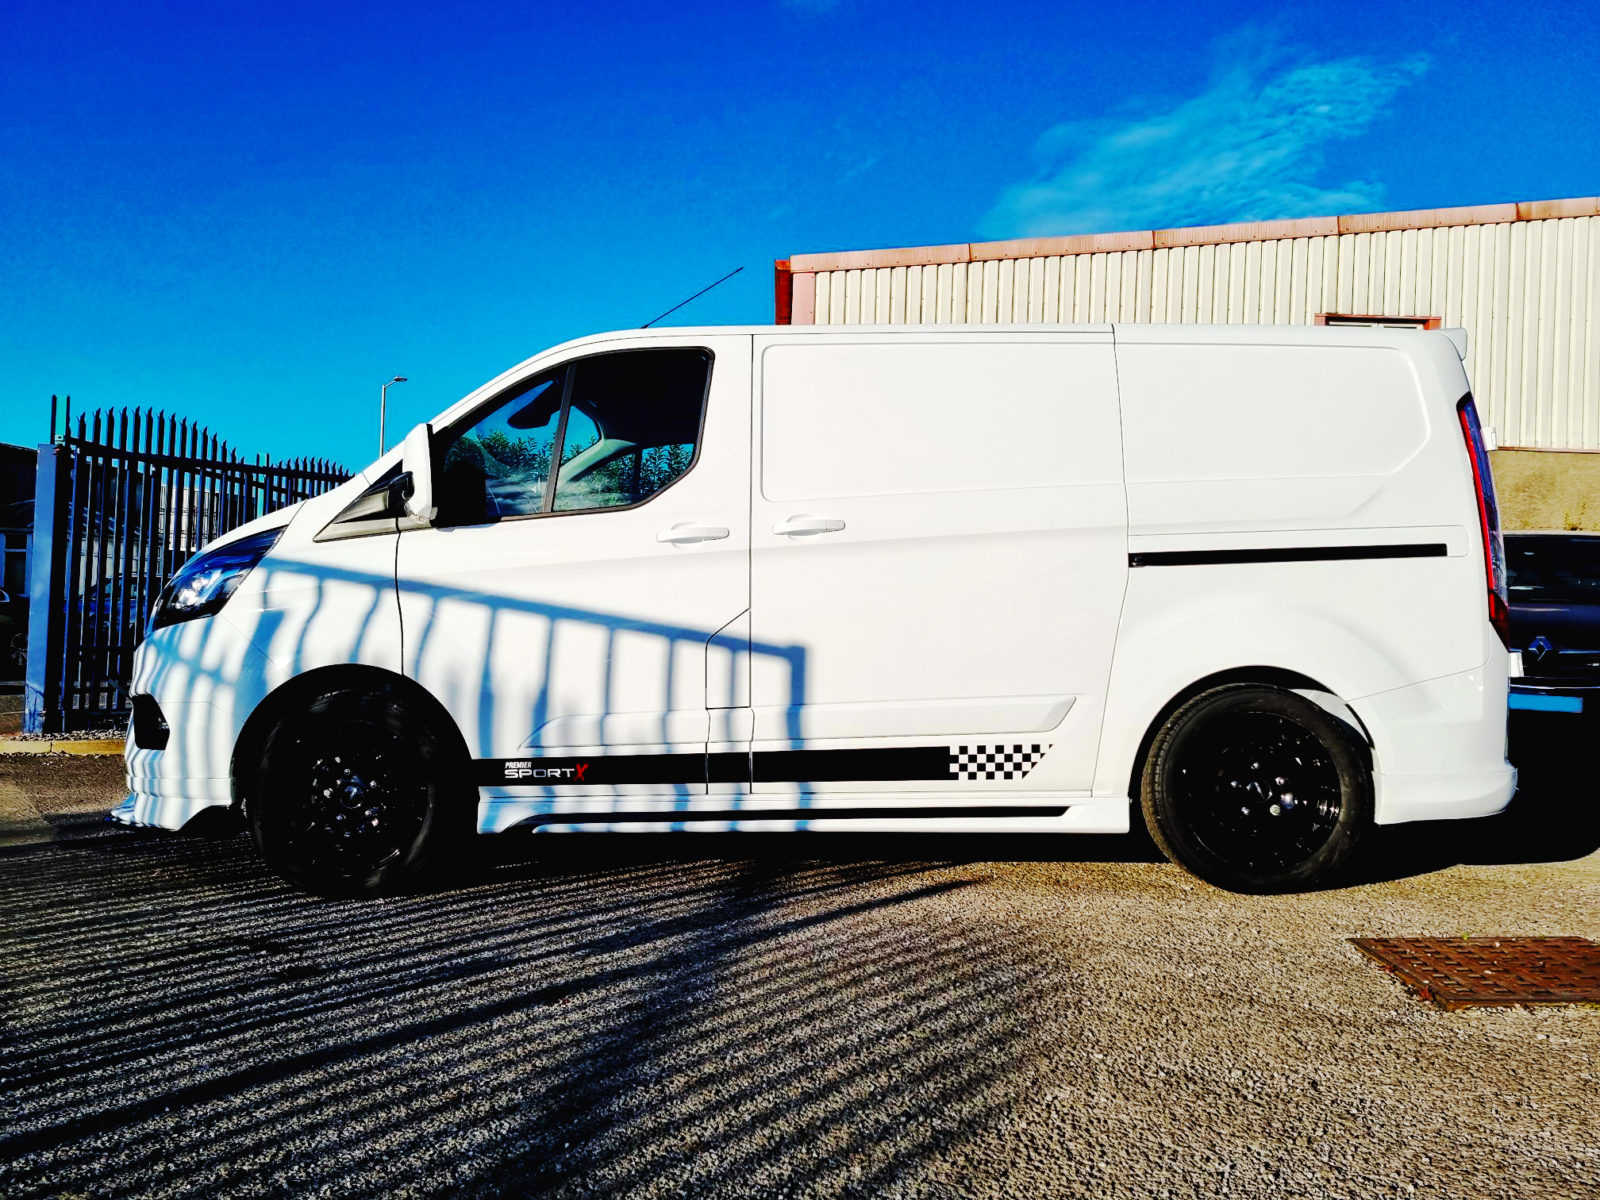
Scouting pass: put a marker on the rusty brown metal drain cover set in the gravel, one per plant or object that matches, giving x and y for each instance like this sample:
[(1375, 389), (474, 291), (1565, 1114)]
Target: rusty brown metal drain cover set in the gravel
[(1468, 972)]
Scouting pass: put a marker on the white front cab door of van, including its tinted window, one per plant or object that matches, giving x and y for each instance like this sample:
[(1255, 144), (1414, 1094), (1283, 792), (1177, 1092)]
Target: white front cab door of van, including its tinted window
[(591, 543)]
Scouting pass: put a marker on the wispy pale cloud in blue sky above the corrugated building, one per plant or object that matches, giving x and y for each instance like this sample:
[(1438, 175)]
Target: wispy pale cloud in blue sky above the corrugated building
[(1249, 148)]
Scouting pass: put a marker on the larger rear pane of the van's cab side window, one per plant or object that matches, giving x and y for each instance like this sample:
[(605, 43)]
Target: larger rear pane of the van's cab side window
[(633, 426)]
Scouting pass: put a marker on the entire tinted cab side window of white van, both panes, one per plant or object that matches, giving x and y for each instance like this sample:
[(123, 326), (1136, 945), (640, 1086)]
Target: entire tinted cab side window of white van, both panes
[(626, 425)]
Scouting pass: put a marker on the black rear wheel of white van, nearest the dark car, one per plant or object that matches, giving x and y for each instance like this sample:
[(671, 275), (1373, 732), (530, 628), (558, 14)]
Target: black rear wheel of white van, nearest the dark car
[(1257, 790)]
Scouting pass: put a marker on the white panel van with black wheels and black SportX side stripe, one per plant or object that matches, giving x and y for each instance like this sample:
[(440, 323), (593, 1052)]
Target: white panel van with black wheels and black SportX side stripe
[(1001, 578)]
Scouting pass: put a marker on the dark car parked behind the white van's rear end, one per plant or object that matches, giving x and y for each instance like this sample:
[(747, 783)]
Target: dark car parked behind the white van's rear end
[(1556, 620)]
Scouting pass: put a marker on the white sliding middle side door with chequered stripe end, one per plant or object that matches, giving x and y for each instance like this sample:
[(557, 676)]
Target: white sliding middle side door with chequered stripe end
[(940, 546)]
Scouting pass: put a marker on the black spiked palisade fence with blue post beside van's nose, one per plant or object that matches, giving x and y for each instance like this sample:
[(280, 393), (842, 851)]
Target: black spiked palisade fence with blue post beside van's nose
[(122, 503)]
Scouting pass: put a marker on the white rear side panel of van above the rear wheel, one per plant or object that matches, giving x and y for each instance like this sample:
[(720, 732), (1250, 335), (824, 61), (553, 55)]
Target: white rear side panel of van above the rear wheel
[(1295, 439)]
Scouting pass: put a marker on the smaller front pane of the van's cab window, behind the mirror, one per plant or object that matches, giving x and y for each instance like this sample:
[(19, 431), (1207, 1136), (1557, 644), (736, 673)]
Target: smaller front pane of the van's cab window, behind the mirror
[(500, 465)]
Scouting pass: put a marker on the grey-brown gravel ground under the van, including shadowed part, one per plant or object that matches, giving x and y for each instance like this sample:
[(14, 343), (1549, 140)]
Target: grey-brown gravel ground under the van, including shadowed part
[(790, 1017)]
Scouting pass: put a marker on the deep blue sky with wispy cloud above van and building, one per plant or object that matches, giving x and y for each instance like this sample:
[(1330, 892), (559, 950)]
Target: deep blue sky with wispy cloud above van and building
[(255, 215)]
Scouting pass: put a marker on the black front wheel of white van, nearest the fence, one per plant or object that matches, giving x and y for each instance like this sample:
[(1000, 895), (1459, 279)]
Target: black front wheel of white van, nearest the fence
[(354, 796)]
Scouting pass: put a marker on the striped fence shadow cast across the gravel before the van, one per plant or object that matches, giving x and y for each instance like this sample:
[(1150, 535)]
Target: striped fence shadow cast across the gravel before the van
[(614, 1022)]
